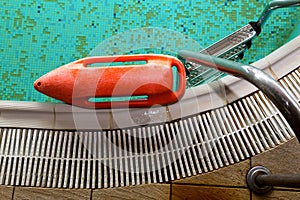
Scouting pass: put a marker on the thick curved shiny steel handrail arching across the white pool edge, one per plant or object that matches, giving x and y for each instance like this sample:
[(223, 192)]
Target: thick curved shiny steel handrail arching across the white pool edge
[(289, 108)]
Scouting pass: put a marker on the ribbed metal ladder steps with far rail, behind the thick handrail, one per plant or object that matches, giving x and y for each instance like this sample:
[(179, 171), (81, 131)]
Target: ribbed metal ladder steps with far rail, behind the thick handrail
[(233, 46)]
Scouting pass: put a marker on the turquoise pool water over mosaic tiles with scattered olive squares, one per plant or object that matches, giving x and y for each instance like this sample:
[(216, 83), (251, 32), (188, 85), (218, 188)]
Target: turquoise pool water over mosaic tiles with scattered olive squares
[(38, 36)]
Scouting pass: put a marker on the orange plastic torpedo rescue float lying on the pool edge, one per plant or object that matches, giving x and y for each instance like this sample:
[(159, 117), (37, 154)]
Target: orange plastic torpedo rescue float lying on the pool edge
[(116, 81)]
